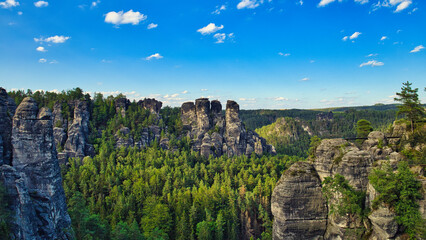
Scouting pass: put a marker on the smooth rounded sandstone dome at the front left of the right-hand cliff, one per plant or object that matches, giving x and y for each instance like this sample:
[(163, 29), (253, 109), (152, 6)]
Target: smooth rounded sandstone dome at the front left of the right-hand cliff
[(298, 205)]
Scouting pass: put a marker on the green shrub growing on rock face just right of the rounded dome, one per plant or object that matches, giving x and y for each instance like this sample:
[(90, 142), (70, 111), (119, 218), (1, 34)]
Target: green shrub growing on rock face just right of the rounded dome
[(343, 199)]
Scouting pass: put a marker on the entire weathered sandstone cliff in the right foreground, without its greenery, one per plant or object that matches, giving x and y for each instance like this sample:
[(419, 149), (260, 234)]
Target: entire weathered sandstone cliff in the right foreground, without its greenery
[(334, 156)]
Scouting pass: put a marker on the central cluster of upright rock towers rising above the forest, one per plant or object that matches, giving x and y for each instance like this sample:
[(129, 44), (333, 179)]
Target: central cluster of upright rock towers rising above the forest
[(215, 134)]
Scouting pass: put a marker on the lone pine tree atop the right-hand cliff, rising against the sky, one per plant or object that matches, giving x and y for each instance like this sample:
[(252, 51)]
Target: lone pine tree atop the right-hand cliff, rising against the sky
[(411, 105)]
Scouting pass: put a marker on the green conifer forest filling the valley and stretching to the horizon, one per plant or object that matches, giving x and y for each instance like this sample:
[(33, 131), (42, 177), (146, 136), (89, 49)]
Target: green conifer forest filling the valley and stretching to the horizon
[(174, 193)]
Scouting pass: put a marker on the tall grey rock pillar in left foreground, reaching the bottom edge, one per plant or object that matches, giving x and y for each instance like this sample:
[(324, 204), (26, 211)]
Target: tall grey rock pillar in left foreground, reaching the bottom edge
[(34, 182)]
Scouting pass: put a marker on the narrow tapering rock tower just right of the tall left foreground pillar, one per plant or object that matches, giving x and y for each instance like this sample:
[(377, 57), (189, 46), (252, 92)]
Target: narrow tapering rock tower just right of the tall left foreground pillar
[(77, 145)]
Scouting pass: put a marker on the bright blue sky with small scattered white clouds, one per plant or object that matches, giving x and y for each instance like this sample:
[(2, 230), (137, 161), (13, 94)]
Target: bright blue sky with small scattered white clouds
[(274, 54)]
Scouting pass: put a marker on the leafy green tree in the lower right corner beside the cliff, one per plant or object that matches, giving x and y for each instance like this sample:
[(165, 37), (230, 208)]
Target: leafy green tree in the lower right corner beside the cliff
[(400, 191)]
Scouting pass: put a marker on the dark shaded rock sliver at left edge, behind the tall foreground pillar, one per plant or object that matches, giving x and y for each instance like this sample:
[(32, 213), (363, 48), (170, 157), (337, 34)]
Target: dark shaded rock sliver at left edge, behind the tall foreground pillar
[(7, 110)]
